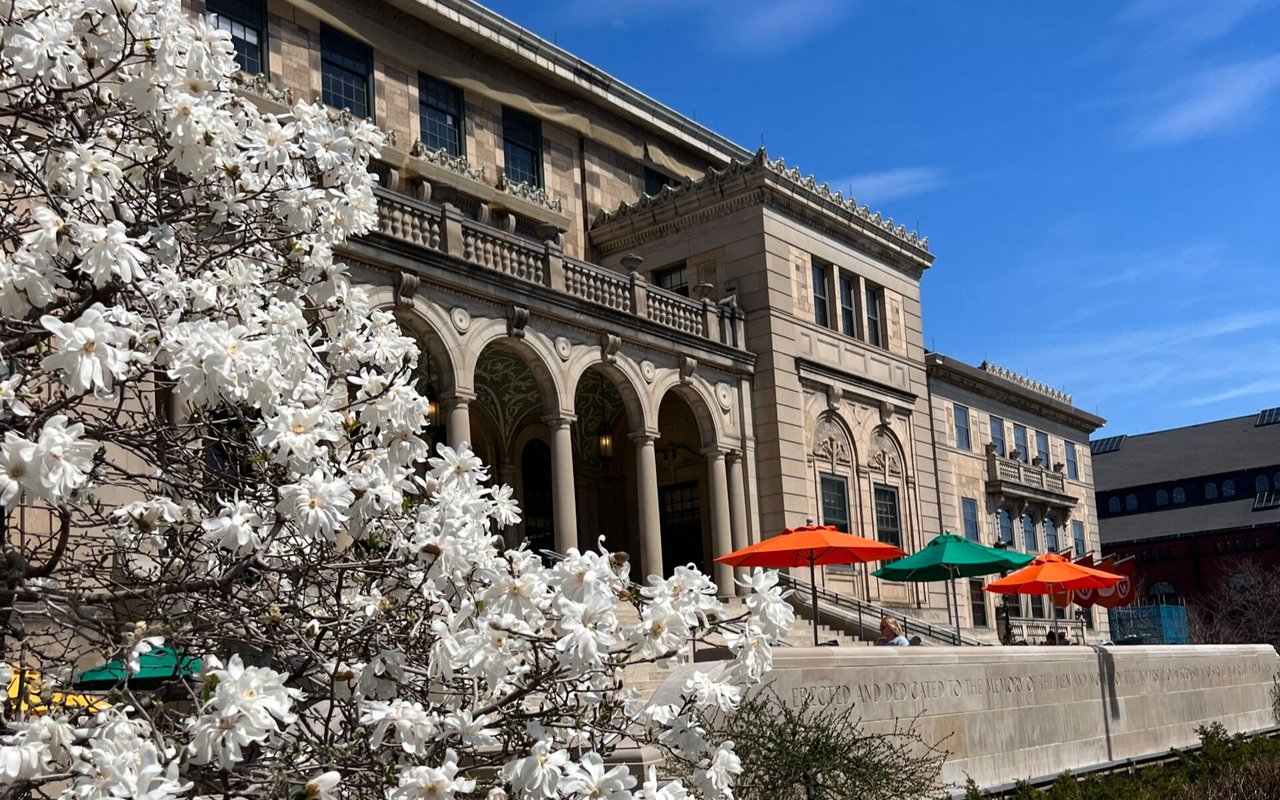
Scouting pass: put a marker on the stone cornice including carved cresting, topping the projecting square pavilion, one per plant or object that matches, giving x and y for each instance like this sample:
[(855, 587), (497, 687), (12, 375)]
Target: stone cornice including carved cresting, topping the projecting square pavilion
[(761, 181)]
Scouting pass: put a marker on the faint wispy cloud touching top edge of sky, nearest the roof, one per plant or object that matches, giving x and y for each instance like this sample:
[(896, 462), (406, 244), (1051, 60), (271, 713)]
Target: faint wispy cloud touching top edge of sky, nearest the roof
[(738, 29)]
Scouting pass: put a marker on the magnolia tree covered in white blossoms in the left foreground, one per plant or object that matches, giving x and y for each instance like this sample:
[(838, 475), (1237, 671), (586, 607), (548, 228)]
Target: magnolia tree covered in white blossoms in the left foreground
[(214, 444)]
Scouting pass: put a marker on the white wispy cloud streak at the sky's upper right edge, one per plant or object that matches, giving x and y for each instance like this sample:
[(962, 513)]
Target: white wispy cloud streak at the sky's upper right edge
[(1210, 102)]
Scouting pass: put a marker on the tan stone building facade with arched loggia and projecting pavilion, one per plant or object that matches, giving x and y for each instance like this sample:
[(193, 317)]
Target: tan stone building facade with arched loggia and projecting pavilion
[(656, 336)]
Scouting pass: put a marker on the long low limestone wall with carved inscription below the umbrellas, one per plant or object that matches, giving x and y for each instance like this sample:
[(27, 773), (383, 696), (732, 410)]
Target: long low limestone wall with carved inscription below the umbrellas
[(1012, 714)]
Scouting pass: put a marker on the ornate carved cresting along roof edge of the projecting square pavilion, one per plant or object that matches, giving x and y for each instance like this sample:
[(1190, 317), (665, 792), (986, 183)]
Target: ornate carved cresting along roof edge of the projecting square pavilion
[(779, 167)]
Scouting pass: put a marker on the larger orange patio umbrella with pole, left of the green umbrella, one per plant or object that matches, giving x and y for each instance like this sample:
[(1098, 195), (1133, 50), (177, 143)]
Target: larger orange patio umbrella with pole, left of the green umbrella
[(812, 546)]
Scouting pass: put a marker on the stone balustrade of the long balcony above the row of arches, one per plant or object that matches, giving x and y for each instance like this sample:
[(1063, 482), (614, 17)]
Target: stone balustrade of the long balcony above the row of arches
[(444, 228)]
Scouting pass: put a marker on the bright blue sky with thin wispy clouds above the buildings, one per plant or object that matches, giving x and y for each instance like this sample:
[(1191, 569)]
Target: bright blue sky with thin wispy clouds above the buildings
[(1099, 181)]
